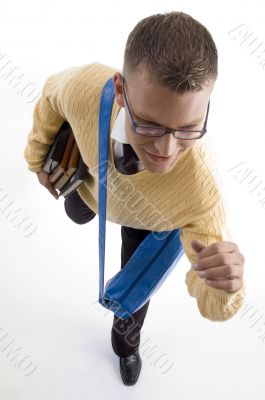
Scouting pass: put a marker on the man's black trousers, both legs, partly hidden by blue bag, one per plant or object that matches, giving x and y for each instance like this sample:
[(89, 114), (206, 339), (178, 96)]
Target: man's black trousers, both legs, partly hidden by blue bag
[(125, 334)]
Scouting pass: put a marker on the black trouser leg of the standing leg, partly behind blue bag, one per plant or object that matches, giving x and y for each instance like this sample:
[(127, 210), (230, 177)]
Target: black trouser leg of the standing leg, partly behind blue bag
[(125, 333)]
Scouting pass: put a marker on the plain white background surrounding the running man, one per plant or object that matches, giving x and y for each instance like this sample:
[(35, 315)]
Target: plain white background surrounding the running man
[(49, 280)]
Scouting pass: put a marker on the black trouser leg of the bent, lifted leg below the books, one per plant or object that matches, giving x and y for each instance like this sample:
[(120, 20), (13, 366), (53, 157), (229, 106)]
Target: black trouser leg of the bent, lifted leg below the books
[(77, 210)]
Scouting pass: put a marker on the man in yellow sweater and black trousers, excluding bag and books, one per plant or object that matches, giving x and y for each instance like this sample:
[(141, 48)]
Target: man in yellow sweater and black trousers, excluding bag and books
[(158, 178)]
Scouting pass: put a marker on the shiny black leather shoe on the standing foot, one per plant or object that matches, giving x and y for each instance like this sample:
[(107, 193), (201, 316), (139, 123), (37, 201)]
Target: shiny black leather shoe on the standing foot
[(130, 368)]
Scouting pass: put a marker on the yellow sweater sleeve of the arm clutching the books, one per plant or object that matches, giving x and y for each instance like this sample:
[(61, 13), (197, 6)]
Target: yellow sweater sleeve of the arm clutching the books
[(48, 115)]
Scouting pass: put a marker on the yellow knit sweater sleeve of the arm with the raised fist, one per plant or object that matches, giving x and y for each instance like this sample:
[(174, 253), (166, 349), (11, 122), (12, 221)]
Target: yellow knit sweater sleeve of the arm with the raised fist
[(213, 304)]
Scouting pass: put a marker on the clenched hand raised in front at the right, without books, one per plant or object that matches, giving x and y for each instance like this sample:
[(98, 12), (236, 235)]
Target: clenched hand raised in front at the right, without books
[(221, 264)]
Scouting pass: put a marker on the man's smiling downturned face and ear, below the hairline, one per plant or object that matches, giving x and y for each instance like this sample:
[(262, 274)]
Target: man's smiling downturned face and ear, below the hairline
[(153, 104)]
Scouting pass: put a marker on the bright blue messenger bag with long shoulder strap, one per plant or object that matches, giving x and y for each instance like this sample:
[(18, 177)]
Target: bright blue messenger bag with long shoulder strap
[(155, 257)]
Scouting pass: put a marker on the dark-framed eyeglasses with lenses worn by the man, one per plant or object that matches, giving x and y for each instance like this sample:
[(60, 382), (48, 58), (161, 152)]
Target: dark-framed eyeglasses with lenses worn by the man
[(184, 134)]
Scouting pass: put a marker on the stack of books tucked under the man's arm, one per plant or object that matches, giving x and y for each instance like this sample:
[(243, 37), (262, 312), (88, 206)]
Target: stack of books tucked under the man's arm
[(64, 162)]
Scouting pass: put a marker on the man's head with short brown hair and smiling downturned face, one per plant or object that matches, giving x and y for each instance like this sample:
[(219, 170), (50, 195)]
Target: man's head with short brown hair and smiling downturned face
[(169, 71)]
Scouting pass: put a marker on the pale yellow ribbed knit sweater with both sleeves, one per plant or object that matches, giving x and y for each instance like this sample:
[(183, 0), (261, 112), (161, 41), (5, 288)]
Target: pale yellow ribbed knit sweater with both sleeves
[(188, 197)]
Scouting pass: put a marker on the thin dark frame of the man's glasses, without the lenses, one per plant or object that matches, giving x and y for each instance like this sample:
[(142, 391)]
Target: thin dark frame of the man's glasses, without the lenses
[(166, 130)]
